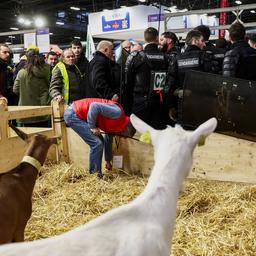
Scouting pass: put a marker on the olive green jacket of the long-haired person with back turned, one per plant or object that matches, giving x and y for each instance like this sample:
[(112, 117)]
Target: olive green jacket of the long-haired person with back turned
[(33, 90)]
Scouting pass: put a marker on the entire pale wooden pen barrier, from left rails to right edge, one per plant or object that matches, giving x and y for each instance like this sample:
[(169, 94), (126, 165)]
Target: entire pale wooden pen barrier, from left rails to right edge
[(223, 157)]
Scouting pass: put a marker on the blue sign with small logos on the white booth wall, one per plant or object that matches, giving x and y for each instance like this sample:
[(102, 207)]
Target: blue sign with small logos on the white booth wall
[(115, 21)]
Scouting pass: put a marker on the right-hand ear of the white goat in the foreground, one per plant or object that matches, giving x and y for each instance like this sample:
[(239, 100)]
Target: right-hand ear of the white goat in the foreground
[(203, 130)]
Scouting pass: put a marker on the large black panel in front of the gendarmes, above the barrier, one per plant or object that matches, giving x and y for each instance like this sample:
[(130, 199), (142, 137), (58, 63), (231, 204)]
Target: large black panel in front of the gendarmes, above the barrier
[(231, 100)]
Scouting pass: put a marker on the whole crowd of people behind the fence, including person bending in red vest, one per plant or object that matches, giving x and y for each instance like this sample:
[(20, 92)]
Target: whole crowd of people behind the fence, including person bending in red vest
[(146, 80)]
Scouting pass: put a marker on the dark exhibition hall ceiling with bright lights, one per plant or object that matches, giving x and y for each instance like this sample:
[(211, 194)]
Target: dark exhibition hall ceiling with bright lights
[(68, 19)]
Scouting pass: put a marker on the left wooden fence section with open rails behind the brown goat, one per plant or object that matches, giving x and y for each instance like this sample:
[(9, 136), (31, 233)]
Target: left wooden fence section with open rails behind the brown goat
[(12, 148)]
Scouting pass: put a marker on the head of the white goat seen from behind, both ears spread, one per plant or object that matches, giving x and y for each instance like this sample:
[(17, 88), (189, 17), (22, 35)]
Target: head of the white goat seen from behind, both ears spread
[(174, 142)]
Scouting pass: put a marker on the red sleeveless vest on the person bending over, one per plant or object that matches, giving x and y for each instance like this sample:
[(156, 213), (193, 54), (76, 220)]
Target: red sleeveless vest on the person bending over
[(81, 107)]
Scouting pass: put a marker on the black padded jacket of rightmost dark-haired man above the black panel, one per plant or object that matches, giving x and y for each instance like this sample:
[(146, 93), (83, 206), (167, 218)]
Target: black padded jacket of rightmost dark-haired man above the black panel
[(240, 61)]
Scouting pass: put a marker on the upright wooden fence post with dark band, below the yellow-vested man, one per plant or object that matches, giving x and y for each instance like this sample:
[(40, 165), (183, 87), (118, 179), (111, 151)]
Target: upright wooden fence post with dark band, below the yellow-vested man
[(60, 130)]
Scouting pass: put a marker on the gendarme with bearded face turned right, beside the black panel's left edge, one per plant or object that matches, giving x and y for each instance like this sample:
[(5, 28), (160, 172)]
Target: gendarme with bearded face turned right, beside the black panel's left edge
[(193, 58)]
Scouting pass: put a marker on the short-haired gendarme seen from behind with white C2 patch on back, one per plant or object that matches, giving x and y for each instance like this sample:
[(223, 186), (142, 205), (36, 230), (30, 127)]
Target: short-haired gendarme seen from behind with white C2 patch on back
[(145, 82)]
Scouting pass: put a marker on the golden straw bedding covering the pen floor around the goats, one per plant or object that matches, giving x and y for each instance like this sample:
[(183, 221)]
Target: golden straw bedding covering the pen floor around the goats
[(213, 218)]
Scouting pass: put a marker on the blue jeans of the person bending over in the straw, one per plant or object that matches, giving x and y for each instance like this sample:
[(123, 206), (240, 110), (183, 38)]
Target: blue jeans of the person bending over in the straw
[(97, 143)]
